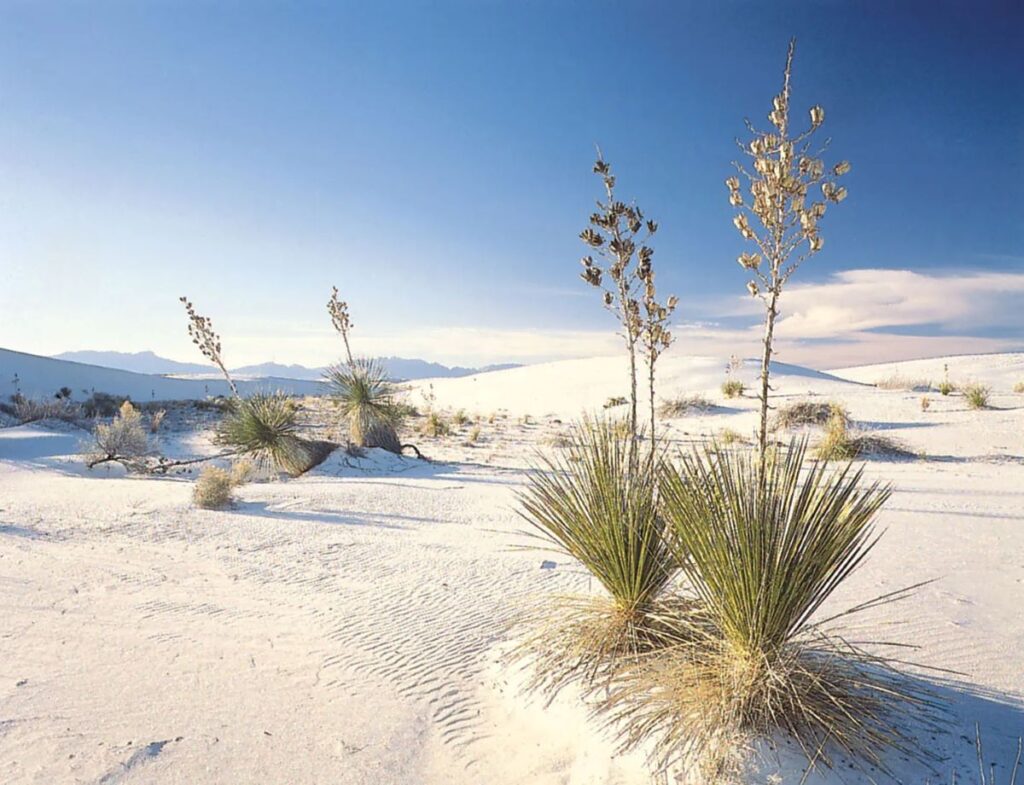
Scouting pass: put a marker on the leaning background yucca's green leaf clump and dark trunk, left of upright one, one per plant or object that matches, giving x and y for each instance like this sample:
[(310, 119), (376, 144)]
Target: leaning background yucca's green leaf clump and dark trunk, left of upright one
[(266, 427)]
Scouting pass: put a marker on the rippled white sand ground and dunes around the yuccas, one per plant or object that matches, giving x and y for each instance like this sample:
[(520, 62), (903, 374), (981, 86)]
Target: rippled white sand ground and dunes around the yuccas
[(348, 627)]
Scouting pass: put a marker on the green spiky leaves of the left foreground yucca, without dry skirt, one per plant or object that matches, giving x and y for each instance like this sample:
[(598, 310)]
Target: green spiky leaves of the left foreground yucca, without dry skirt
[(598, 506)]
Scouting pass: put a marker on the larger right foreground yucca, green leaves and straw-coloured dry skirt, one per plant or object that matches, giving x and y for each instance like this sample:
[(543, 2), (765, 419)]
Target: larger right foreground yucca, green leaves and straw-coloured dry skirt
[(763, 548)]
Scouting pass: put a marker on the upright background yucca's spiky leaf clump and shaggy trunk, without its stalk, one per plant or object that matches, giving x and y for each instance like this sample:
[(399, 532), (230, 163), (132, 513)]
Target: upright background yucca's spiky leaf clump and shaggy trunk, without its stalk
[(365, 398)]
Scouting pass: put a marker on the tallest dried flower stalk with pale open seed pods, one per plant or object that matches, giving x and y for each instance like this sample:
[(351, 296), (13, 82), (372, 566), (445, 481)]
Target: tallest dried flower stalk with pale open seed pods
[(783, 219)]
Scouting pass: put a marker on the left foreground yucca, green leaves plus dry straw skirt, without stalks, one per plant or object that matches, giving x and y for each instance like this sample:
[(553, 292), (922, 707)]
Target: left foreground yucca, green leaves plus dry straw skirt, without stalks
[(598, 506)]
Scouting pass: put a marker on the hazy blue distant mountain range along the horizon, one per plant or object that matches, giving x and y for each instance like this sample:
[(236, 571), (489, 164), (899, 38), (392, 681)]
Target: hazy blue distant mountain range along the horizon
[(148, 363)]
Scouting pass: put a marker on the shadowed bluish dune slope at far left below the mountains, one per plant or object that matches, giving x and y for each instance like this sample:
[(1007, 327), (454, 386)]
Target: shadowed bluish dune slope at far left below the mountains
[(42, 377)]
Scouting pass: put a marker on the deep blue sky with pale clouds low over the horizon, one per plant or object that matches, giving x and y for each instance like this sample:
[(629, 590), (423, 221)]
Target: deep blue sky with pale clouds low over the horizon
[(433, 160)]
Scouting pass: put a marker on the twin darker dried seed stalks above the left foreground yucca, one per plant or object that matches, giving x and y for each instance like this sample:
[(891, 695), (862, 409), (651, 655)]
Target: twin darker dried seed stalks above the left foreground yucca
[(619, 234)]
